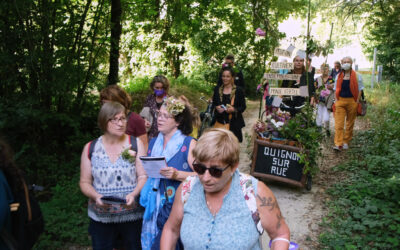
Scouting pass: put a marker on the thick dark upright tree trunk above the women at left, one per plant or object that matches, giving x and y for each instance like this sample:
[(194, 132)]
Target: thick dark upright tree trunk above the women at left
[(116, 28)]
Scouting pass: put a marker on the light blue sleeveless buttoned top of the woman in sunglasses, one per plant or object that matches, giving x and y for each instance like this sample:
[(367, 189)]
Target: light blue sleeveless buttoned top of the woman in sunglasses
[(232, 227)]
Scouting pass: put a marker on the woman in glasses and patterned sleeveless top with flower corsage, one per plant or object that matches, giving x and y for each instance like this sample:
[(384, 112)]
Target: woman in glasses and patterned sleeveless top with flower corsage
[(110, 168)]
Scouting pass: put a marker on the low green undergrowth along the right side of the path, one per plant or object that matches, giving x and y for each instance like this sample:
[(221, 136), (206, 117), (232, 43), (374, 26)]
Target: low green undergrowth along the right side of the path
[(364, 211)]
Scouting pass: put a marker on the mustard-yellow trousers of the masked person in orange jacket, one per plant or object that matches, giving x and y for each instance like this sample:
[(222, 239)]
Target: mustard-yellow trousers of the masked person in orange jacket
[(345, 114)]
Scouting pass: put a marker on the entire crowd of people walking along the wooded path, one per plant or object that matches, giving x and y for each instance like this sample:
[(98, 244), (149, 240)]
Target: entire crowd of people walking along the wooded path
[(200, 190)]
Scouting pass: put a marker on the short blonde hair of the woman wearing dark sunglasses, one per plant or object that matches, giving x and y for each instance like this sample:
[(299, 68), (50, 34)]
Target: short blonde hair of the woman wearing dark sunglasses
[(219, 145)]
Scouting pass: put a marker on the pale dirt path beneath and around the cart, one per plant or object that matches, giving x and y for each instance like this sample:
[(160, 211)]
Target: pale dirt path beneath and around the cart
[(302, 209)]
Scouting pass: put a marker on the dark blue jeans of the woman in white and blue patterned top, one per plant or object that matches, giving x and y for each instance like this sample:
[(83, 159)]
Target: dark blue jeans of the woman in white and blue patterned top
[(105, 236)]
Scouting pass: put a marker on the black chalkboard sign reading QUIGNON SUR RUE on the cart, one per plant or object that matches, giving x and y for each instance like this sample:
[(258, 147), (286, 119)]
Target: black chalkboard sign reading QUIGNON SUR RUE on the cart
[(278, 162)]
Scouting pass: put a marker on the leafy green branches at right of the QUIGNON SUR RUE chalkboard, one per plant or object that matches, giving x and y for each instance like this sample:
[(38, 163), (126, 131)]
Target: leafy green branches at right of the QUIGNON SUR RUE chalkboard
[(302, 128)]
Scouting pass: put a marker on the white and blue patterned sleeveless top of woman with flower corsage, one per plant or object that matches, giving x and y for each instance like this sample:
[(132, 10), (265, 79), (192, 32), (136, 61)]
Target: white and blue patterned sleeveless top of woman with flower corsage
[(117, 179)]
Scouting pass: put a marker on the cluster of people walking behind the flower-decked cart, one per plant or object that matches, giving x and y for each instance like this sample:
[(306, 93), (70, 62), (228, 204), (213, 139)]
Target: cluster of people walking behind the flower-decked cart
[(336, 90)]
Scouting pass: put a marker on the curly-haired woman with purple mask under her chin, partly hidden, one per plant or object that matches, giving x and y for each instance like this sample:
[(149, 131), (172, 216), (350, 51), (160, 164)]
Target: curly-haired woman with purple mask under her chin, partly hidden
[(159, 86)]
